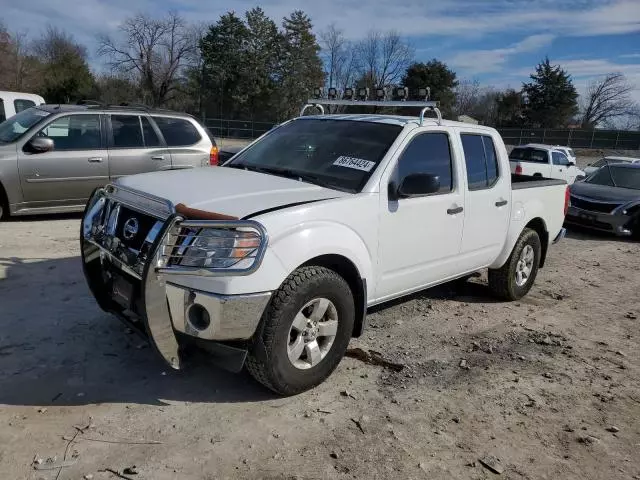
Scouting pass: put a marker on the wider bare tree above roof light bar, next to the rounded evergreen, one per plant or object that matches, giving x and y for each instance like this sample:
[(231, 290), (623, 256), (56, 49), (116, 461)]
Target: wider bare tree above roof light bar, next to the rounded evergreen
[(383, 58)]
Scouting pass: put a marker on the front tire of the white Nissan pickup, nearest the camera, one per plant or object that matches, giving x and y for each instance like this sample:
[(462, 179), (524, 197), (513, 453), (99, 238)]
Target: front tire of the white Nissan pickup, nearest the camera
[(271, 365)]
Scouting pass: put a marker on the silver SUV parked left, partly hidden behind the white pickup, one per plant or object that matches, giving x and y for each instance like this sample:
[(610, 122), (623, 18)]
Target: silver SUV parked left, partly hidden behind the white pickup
[(53, 156)]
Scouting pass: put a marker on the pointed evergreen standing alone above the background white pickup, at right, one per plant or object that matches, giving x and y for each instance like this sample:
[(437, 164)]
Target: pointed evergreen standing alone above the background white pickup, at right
[(551, 97)]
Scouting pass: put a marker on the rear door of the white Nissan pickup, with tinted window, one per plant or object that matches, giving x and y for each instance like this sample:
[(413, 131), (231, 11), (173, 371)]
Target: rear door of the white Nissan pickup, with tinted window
[(487, 201)]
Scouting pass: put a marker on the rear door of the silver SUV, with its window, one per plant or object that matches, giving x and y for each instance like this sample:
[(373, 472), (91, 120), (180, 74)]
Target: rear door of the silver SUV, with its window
[(135, 146)]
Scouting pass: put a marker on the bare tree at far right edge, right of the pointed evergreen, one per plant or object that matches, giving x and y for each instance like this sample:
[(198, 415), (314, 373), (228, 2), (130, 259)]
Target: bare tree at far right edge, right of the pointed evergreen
[(606, 100)]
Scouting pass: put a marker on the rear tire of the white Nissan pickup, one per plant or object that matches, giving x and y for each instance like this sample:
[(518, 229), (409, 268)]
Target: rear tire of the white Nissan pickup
[(503, 281)]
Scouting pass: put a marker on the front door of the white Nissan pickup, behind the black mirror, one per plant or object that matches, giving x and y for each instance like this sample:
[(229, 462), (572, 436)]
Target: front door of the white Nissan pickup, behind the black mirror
[(420, 237)]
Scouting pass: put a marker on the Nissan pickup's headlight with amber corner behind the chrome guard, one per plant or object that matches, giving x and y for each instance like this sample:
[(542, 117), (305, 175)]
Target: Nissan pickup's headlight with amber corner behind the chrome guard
[(218, 248)]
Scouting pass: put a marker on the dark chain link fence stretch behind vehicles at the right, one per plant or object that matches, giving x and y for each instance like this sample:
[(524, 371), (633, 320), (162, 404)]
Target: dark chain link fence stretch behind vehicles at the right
[(572, 137)]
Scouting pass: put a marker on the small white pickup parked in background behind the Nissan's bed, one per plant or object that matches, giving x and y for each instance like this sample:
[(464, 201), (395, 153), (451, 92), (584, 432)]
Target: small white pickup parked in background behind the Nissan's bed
[(543, 161)]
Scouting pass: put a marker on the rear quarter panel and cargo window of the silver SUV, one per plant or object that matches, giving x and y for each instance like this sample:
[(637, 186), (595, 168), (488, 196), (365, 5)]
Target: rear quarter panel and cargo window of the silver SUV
[(188, 147)]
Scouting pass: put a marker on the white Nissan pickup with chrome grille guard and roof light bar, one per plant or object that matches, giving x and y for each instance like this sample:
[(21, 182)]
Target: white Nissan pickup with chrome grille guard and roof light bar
[(272, 260)]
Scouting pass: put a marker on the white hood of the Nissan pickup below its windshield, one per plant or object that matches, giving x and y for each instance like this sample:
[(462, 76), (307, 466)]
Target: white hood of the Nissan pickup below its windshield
[(228, 191)]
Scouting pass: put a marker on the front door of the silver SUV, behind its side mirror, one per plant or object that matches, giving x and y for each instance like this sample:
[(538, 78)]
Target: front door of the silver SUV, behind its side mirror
[(69, 173)]
